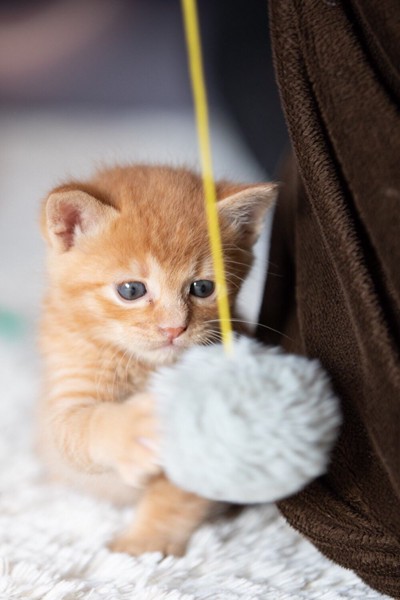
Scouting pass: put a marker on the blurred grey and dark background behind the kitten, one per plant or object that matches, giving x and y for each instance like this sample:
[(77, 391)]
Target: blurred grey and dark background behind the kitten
[(85, 82)]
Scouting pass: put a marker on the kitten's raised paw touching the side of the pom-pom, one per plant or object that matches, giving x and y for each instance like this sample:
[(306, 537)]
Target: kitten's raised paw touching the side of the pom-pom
[(124, 437)]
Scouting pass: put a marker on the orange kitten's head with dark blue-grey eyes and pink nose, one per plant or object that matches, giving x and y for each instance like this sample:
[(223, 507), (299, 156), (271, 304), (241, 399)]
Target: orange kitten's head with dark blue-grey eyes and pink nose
[(129, 256)]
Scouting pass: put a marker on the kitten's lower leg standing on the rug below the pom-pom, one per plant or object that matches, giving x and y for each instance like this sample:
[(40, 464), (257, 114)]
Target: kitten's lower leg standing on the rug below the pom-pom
[(165, 520)]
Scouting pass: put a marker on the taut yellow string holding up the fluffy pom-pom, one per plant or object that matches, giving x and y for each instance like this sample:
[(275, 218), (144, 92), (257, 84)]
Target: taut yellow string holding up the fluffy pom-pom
[(210, 197)]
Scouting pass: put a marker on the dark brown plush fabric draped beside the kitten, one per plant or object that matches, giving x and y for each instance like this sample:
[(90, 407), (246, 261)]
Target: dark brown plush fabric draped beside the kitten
[(334, 288)]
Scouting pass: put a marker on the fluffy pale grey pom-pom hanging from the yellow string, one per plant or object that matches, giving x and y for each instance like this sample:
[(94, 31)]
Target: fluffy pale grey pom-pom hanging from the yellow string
[(254, 426)]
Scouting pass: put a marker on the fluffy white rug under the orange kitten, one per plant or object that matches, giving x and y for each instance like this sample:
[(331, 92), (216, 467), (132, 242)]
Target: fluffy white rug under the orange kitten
[(53, 540)]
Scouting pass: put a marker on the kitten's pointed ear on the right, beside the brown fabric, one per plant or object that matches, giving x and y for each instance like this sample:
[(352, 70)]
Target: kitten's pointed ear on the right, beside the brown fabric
[(245, 210)]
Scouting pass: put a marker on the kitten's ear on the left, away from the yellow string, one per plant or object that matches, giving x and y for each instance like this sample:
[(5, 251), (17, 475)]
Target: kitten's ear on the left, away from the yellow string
[(70, 213)]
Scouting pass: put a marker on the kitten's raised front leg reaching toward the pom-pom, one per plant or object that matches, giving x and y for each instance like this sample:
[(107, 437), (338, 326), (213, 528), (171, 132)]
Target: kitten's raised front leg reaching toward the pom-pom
[(99, 437)]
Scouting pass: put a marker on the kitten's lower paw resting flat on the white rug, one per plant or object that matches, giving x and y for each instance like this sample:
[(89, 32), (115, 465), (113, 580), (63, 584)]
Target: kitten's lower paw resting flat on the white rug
[(139, 544)]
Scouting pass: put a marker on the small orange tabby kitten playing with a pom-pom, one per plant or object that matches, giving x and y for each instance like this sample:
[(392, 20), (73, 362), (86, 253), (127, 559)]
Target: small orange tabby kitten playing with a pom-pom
[(130, 288)]
